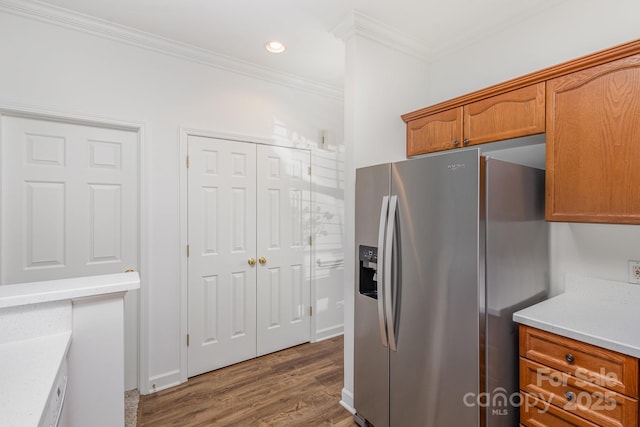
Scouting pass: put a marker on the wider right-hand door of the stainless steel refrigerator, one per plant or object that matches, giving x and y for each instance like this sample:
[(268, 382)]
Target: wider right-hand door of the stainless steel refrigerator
[(437, 299)]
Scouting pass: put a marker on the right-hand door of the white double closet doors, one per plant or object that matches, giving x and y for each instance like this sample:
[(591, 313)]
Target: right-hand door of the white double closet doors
[(283, 248)]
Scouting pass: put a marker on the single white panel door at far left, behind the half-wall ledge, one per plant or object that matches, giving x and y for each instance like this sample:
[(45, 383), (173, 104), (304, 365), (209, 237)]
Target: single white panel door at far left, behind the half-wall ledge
[(70, 207)]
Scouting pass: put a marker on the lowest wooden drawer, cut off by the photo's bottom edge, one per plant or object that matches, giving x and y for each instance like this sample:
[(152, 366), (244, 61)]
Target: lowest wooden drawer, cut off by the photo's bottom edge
[(536, 413)]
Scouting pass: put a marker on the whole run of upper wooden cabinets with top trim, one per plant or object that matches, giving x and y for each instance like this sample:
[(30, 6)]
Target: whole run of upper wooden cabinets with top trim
[(590, 110)]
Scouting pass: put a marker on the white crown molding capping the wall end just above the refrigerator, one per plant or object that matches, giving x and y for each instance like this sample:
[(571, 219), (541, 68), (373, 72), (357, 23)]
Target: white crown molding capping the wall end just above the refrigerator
[(360, 24)]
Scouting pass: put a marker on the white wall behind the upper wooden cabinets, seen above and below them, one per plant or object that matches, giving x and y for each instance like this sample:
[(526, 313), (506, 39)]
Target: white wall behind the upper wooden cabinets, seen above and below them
[(567, 31)]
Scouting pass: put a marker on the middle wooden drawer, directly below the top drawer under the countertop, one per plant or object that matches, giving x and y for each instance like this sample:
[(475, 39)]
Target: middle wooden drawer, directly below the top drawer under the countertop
[(598, 404)]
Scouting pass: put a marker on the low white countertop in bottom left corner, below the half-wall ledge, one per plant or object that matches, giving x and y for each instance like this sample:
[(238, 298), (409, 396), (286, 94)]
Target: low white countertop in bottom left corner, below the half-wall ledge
[(28, 370)]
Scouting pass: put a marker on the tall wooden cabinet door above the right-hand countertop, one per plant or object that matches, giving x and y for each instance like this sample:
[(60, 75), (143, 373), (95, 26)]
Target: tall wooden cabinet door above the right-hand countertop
[(593, 144)]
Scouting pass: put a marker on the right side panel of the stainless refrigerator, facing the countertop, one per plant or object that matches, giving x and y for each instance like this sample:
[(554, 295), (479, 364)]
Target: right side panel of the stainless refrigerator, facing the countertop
[(516, 271)]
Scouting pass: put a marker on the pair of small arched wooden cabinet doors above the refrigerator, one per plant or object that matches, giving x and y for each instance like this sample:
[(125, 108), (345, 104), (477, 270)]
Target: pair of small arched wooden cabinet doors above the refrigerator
[(512, 114)]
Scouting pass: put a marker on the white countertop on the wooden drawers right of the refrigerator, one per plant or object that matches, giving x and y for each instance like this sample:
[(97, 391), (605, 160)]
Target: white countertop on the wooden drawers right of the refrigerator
[(599, 312)]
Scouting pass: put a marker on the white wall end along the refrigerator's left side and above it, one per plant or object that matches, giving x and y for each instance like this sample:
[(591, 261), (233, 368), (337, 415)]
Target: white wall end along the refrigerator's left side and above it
[(380, 85)]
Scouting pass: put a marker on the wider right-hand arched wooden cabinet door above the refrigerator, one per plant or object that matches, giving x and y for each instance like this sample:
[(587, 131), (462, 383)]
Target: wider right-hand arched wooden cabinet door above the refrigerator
[(509, 115)]
